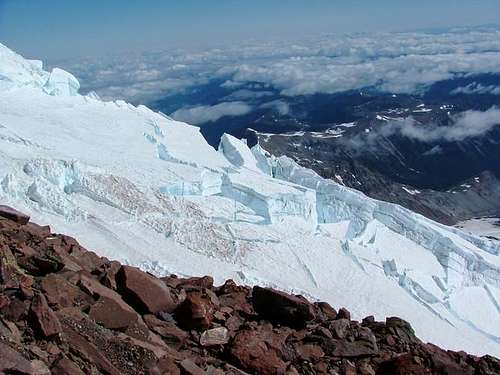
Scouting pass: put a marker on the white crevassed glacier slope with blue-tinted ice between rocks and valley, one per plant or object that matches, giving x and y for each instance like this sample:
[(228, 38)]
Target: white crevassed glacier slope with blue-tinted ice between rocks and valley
[(141, 188)]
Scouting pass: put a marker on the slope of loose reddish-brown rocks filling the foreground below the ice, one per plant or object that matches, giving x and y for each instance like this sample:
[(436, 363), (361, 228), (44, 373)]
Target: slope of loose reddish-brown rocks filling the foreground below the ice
[(65, 310)]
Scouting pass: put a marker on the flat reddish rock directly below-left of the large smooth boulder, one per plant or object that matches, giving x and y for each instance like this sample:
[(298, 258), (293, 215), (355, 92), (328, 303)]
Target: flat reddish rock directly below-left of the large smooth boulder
[(112, 314)]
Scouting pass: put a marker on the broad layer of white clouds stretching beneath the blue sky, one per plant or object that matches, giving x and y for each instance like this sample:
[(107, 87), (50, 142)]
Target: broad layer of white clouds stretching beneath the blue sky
[(397, 62)]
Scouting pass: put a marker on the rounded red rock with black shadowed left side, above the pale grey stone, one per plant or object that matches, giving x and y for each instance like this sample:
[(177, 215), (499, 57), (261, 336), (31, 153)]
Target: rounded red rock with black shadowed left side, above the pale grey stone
[(195, 312)]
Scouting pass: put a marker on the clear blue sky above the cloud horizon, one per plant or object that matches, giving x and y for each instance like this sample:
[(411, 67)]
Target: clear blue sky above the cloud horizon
[(54, 29)]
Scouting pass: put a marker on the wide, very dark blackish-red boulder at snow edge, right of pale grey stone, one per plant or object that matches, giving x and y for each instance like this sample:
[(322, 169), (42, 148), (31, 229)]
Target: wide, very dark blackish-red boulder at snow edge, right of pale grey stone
[(281, 307)]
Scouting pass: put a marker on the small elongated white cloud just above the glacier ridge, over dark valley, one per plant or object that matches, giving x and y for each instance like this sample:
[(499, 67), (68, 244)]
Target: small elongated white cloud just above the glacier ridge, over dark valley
[(203, 114)]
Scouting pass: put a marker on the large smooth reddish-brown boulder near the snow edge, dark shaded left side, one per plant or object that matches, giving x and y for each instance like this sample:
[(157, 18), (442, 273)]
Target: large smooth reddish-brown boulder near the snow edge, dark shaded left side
[(145, 293)]
